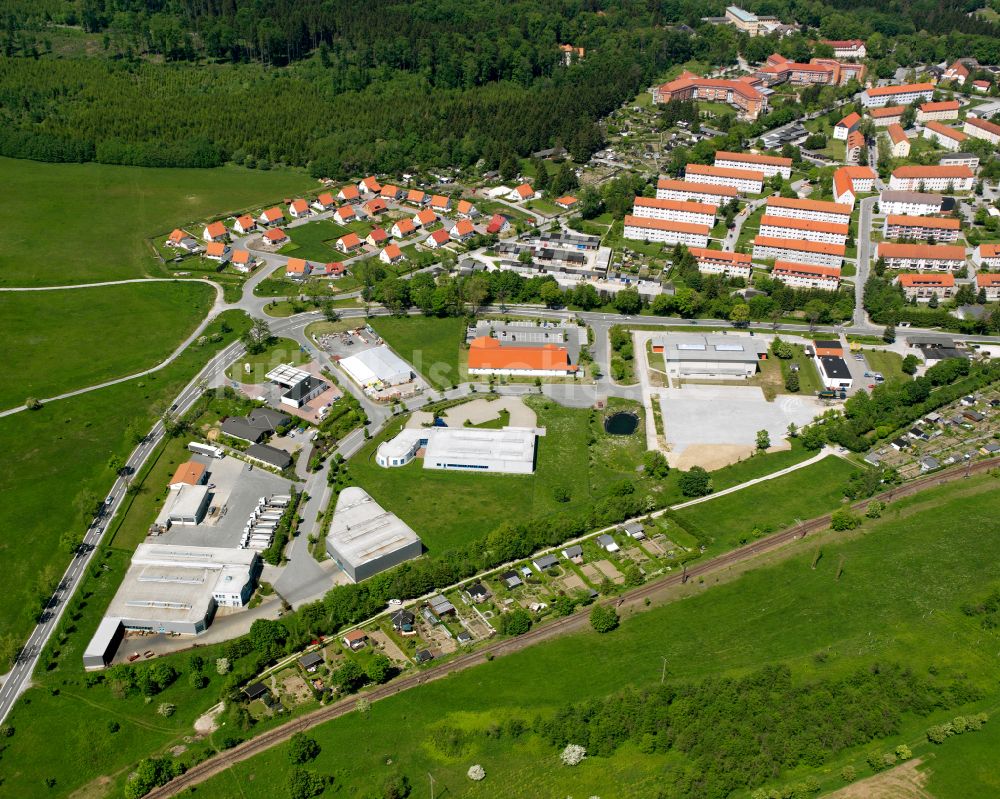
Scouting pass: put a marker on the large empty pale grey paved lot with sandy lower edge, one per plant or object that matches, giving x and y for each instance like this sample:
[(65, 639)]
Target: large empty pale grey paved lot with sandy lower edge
[(714, 425)]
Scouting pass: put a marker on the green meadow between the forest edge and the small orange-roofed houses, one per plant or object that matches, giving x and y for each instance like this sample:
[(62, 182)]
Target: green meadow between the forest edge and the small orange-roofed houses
[(80, 223)]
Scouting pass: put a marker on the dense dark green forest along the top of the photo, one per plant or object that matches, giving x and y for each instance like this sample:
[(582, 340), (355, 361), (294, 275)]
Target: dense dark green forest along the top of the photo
[(386, 86)]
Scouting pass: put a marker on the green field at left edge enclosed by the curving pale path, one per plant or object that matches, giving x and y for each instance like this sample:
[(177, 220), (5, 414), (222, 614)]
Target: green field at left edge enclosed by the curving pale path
[(58, 341)]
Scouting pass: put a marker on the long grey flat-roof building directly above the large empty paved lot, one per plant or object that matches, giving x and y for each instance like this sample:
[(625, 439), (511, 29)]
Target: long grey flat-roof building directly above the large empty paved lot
[(712, 356)]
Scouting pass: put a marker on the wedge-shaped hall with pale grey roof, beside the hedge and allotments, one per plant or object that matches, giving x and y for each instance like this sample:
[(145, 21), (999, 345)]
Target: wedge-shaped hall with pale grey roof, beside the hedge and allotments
[(365, 539)]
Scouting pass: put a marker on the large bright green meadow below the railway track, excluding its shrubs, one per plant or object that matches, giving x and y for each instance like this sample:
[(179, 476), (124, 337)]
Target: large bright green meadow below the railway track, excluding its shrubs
[(821, 626)]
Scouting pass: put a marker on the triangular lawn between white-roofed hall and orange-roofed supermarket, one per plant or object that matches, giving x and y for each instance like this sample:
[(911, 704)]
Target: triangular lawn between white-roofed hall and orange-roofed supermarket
[(430, 345)]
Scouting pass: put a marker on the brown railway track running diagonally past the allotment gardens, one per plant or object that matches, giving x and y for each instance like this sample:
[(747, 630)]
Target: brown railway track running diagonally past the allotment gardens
[(579, 620)]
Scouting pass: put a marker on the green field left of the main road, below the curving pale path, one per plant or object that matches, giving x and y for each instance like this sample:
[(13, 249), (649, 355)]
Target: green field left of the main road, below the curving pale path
[(55, 469)]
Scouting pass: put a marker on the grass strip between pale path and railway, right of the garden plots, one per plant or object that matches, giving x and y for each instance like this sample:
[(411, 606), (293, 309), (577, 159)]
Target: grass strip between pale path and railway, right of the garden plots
[(770, 506)]
